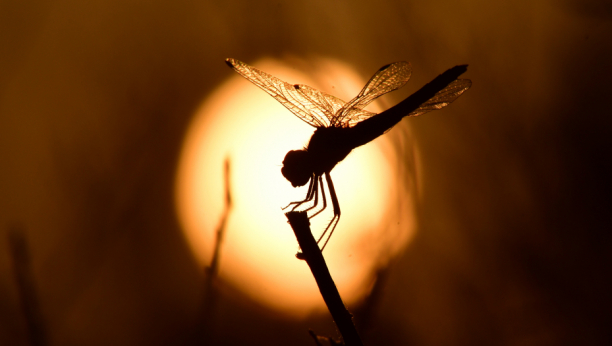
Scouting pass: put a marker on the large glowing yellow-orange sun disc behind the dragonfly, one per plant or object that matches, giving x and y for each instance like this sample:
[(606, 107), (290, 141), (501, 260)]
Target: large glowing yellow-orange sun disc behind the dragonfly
[(243, 123)]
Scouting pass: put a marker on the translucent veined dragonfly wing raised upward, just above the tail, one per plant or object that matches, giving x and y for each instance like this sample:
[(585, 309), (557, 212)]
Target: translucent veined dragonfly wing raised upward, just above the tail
[(387, 78)]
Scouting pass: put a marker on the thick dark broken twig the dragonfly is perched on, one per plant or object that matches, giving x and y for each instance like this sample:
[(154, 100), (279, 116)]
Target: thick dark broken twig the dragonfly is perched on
[(314, 258)]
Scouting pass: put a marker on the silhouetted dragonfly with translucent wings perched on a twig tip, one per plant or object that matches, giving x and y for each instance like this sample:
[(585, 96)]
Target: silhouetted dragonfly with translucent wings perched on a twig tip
[(343, 126)]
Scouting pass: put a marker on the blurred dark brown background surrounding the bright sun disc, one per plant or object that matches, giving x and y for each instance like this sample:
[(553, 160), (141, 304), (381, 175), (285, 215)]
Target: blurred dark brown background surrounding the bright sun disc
[(511, 204)]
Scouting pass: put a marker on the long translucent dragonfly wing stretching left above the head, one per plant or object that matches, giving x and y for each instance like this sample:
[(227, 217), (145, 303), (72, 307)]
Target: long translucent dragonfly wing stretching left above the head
[(301, 100)]
